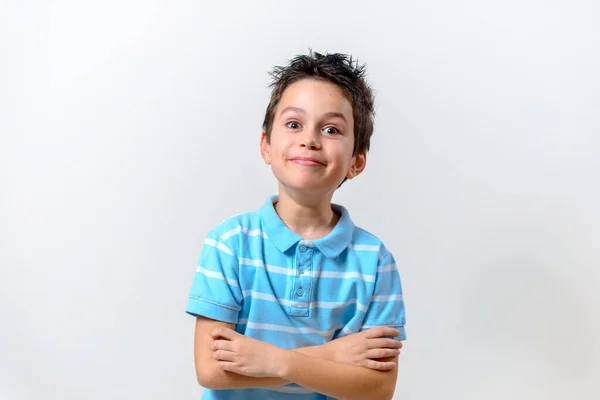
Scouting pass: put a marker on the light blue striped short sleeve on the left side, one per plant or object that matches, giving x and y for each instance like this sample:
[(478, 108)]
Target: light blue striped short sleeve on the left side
[(215, 291)]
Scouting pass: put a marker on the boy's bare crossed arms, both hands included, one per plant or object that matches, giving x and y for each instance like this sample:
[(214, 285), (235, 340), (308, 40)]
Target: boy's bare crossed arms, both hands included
[(358, 366)]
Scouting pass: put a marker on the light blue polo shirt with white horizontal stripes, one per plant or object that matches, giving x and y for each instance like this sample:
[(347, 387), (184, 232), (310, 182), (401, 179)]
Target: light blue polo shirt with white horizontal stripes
[(256, 273)]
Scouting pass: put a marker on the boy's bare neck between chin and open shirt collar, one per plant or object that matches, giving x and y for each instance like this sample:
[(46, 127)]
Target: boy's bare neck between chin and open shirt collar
[(310, 219)]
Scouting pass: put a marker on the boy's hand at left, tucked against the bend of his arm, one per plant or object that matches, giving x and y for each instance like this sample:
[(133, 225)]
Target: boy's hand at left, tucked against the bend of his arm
[(243, 355)]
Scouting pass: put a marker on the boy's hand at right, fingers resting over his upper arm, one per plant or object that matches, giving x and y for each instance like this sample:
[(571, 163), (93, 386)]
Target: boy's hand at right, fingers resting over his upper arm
[(365, 348)]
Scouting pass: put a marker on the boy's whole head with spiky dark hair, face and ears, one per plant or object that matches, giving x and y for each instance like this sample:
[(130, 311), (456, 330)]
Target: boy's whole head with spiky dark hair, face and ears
[(319, 121)]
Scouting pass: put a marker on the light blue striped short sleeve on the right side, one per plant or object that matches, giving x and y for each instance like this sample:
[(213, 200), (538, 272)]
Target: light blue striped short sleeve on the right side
[(386, 307)]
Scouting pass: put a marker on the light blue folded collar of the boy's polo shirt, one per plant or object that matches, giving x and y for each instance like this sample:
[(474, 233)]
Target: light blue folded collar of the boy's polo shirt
[(283, 238)]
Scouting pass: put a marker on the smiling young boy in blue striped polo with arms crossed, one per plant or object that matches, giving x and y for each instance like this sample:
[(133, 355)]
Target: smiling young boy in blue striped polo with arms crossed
[(294, 301)]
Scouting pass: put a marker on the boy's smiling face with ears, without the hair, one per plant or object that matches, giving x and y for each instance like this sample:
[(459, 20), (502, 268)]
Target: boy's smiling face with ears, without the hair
[(312, 139)]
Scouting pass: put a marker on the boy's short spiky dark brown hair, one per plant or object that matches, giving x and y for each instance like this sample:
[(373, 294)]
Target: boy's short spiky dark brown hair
[(339, 69)]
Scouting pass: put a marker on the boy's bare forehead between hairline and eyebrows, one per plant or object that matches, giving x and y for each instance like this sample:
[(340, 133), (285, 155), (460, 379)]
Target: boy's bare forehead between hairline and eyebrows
[(314, 96)]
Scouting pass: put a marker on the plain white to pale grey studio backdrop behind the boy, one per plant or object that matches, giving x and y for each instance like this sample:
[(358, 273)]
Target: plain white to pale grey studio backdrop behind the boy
[(130, 129)]
